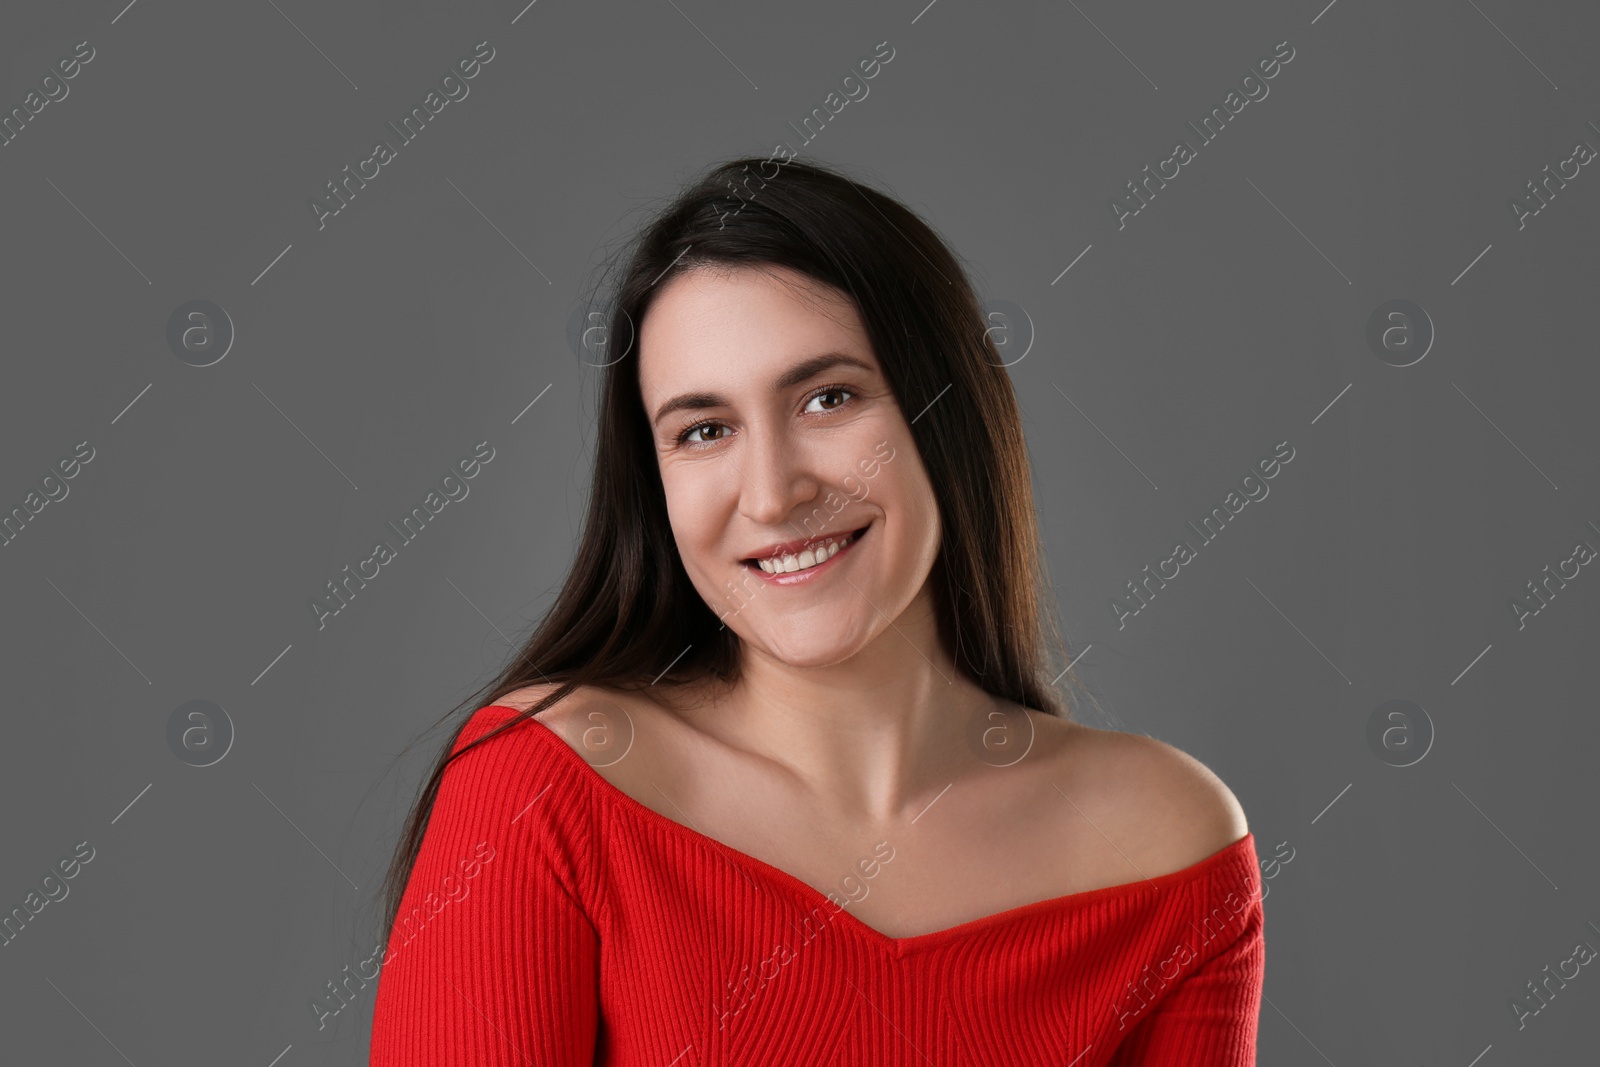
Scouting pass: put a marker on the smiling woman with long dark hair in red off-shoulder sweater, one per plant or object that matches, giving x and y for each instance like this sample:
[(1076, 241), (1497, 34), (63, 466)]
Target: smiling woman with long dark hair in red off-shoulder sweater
[(796, 786)]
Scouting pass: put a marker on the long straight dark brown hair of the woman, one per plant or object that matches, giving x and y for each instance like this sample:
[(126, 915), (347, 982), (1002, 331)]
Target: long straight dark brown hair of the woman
[(628, 607)]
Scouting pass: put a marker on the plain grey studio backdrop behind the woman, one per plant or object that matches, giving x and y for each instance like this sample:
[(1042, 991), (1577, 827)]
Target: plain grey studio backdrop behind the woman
[(428, 316)]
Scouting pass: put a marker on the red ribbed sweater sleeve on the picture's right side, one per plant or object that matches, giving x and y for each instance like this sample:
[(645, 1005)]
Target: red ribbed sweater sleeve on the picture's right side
[(1210, 1018)]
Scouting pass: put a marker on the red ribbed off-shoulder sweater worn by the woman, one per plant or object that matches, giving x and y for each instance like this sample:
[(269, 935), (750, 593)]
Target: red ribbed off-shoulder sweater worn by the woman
[(553, 921)]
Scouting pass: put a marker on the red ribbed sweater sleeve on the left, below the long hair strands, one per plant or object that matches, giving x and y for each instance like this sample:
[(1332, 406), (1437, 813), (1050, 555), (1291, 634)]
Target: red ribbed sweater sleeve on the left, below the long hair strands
[(494, 957)]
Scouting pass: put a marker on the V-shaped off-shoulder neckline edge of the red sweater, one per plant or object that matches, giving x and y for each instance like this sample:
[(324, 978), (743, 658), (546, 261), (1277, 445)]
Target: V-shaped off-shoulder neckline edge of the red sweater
[(900, 946)]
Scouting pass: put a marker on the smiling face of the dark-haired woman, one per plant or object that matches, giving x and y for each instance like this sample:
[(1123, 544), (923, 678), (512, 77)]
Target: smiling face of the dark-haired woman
[(774, 425)]
